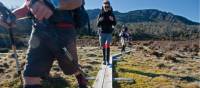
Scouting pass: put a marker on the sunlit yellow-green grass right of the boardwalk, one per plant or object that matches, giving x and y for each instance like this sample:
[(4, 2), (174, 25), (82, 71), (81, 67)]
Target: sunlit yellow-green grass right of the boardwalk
[(147, 73)]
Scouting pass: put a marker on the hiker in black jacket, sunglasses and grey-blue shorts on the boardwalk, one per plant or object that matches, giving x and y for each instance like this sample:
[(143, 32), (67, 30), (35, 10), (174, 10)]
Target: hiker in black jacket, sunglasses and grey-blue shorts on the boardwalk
[(106, 22)]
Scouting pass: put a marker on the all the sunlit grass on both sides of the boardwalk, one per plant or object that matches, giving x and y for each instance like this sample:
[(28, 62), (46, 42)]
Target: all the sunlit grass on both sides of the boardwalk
[(148, 71)]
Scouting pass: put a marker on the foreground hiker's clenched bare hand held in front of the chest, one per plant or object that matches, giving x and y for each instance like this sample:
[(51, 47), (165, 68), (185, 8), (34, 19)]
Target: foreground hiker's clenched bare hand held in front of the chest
[(41, 11)]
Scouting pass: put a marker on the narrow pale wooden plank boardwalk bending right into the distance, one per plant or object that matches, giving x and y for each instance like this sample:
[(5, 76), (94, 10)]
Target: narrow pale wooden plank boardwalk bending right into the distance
[(104, 77)]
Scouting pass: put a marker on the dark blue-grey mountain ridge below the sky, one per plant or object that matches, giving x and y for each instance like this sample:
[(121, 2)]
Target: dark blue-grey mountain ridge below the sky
[(145, 15)]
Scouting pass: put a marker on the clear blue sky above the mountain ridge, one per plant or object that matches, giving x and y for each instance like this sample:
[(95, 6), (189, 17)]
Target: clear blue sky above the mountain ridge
[(187, 8)]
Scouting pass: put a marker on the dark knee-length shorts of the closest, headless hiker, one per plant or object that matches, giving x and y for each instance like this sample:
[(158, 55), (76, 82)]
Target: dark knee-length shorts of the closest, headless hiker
[(39, 56)]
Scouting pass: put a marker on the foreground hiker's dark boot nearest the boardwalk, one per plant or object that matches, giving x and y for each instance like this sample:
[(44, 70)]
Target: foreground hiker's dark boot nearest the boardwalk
[(82, 81)]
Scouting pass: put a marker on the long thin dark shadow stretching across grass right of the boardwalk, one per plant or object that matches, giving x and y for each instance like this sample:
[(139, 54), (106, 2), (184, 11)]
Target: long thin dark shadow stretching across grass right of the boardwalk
[(182, 78)]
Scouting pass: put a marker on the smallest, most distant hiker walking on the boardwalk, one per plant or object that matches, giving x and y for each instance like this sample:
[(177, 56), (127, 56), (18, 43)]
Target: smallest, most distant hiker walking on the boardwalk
[(124, 37)]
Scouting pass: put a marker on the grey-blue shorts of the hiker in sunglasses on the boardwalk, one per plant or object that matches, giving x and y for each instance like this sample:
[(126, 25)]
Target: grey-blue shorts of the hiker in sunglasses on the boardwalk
[(105, 37)]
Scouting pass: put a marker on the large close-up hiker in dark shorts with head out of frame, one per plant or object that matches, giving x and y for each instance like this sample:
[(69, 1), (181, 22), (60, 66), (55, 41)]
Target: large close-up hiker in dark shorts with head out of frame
[(53, 33)]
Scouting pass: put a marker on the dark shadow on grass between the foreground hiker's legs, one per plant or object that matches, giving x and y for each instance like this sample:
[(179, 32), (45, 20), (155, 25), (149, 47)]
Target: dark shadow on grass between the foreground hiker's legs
[(55, 83)]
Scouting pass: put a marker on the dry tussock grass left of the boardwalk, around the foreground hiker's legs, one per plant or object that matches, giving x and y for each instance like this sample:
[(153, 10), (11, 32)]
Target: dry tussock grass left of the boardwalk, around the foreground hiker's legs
[(89, 58)]
